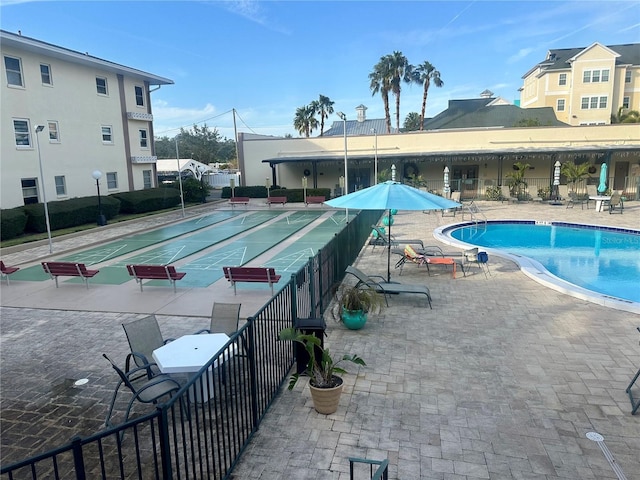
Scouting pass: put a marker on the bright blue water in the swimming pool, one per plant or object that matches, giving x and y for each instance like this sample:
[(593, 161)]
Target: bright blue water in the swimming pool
[(602, 260)]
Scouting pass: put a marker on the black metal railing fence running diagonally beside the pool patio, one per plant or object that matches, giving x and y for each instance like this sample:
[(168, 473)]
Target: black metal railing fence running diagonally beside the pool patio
[(202, 431)]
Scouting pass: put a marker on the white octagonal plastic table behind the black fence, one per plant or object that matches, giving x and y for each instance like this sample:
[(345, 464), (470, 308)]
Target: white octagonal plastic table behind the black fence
[(190, 353)]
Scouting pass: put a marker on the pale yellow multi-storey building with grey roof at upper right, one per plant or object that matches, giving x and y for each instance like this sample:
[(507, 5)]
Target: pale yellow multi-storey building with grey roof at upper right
[(585, 86)]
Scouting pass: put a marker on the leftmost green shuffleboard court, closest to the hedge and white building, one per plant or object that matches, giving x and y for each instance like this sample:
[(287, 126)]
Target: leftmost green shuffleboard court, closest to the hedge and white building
[(127, 245)]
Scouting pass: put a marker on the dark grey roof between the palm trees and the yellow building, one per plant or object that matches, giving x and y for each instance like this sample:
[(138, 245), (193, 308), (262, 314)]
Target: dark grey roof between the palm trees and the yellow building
[(483, 113)]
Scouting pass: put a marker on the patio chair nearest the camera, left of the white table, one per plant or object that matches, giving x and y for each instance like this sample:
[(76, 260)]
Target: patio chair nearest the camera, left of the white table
[(149, 391)]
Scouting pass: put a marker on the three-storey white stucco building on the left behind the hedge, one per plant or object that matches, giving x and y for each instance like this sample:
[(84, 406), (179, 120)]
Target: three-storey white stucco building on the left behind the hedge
[(94, 114)]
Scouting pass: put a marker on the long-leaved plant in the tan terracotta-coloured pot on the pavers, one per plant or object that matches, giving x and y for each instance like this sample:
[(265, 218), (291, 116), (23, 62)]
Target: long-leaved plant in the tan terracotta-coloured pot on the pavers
[(324, 383)]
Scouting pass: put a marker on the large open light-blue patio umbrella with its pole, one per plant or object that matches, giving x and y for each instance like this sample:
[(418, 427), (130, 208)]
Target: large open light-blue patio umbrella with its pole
[(392, 195)]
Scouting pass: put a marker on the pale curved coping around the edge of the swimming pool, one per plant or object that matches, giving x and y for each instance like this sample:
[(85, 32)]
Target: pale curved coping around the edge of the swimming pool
[(536, 271)]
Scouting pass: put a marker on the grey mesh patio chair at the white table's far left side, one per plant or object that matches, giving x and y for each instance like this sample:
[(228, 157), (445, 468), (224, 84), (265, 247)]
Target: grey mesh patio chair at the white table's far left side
[(144, 337)]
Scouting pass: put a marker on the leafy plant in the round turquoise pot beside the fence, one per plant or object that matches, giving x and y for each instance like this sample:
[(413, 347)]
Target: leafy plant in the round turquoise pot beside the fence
[(353, 303)]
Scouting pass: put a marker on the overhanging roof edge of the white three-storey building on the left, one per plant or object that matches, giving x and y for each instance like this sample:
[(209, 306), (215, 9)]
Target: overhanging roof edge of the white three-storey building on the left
[(21, 42)]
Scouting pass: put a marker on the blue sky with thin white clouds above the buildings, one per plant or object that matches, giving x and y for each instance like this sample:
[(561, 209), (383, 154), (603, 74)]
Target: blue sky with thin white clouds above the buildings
[(266, 58)]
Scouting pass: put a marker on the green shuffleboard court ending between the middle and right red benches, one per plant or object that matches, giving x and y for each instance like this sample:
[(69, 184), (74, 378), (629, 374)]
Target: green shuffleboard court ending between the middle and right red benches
[(207, 269)]
